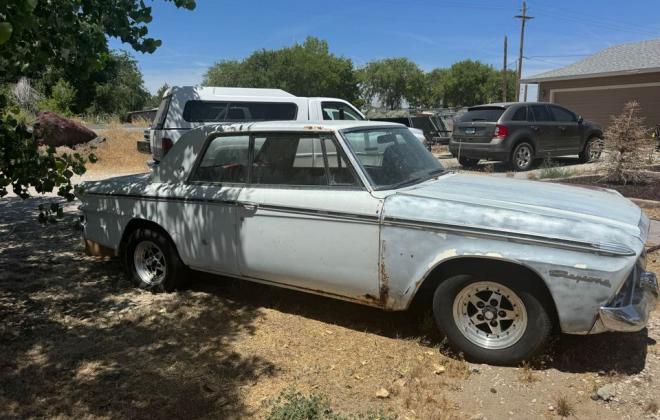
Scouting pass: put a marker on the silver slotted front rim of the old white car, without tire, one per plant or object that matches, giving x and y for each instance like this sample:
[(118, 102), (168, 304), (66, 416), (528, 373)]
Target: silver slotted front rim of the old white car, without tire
[(490, 315)]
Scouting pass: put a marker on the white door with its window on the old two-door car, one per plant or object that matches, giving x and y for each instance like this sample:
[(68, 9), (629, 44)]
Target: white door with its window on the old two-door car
[(305, 219)]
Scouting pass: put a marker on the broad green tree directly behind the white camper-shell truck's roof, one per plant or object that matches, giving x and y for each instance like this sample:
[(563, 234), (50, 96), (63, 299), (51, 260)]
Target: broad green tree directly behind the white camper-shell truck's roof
[(307, 69)]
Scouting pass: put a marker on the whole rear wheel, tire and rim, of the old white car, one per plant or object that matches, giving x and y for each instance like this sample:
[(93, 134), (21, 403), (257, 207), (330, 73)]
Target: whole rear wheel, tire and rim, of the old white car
[(151, 261)]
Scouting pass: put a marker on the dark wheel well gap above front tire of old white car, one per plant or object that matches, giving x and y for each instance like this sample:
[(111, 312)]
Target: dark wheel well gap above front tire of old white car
[(479, 266)]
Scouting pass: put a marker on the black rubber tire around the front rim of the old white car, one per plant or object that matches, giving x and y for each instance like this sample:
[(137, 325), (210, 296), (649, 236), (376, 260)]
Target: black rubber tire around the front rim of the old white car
[(534, 336)]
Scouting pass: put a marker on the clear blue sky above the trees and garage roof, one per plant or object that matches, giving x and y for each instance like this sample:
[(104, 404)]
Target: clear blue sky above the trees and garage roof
[(433, 33)]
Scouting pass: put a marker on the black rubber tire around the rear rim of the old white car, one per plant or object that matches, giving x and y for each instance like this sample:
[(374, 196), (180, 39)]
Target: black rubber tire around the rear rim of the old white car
[(174, 267)]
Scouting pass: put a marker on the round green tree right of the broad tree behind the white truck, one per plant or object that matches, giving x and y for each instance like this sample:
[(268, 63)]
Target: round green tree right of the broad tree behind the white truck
[(391, 81)]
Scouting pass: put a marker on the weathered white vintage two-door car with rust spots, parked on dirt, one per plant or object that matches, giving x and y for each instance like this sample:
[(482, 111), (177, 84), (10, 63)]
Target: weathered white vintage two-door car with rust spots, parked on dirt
[(360, 211)]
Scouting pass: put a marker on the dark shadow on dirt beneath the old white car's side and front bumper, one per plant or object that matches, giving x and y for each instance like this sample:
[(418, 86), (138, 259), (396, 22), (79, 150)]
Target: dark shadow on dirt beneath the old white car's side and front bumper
[(609, 352)]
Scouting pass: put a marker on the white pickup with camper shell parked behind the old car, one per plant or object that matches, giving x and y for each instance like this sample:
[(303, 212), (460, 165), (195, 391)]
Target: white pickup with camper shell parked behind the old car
[(186, 107)]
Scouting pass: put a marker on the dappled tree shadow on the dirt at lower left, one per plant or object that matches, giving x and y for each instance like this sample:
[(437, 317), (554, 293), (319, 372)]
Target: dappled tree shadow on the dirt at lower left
[(78, 340)]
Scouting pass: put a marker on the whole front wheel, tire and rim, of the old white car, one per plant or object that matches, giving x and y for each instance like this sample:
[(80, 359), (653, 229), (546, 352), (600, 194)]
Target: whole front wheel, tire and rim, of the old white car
[(490, 320)]
